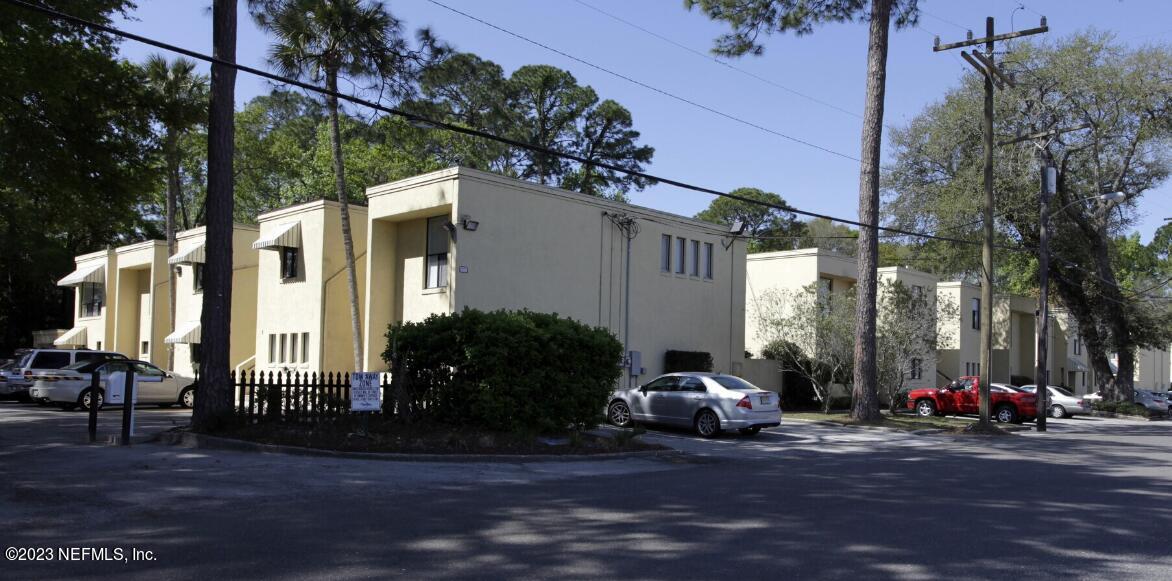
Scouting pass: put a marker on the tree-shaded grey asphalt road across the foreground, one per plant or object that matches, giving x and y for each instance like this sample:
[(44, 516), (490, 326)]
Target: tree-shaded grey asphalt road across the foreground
[(1091, 500)]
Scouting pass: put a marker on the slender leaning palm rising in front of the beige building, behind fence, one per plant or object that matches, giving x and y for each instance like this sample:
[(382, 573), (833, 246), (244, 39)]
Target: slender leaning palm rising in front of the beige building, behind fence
[(322, 42)]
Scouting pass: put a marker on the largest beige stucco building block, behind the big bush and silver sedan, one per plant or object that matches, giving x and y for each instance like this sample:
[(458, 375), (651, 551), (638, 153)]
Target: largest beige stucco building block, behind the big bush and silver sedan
[(461, 238)]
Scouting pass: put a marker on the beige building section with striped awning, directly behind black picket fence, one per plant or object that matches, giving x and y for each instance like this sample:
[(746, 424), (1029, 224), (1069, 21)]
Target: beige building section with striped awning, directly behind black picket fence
[(303, 299)]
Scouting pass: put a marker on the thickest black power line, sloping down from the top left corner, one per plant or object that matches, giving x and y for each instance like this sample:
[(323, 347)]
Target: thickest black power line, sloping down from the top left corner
[(465, 131)]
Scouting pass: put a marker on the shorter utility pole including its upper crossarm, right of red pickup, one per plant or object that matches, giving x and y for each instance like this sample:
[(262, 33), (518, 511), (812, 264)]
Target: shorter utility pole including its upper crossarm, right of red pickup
[(1042, 324)]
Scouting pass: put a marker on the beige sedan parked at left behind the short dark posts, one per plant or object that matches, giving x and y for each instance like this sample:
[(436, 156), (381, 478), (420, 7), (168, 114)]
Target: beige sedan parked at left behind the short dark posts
[(71, 387)]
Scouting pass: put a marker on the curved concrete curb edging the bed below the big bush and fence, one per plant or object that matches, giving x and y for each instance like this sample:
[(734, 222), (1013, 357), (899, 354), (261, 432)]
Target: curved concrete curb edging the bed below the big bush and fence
[(201, 441)]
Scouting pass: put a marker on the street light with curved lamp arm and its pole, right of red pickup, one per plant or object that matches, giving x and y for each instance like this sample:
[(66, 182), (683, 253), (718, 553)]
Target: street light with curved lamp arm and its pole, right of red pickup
[(1041, 371)]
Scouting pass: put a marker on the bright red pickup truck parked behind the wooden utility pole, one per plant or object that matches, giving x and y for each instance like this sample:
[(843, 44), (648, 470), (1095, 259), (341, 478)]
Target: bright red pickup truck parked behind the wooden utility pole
[(963, 397)]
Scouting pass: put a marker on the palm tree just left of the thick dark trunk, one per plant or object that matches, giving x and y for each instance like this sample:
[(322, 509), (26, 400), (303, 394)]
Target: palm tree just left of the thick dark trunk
[(180, 97)]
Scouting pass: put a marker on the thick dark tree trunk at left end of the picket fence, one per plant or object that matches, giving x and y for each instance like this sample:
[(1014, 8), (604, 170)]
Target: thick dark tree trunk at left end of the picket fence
[(214, 398)]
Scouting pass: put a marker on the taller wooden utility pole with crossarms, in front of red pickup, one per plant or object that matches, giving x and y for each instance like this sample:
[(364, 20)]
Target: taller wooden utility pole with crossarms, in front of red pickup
[(986, 66)]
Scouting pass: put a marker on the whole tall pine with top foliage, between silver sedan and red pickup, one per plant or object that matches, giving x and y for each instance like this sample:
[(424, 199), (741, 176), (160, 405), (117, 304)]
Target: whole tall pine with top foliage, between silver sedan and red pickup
[(751, 19)]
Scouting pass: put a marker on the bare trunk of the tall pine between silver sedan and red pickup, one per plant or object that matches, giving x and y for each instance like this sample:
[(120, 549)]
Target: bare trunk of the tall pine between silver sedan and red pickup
[(866, 401)]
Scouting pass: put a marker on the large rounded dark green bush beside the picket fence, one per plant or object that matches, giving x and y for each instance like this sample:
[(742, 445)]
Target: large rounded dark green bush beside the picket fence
[(516, 372)]
